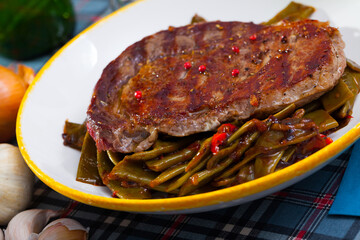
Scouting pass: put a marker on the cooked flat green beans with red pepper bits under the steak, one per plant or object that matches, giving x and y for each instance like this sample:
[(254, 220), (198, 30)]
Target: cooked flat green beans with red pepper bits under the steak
[(205, 162)]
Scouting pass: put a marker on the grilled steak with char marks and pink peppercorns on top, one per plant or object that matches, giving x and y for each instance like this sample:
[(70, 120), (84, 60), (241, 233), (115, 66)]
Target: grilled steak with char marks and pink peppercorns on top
[(278, 65)]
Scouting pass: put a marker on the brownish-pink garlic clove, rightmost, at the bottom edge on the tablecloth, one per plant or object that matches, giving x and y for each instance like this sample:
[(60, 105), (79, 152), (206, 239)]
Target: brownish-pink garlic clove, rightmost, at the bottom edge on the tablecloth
[(64, 228)]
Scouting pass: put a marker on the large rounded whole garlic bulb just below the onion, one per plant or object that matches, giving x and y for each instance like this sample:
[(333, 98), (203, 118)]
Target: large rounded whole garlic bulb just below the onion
[(16, 182)]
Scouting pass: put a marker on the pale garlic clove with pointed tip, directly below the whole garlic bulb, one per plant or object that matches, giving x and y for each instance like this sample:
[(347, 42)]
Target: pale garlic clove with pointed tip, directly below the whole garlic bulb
[(27, 222)]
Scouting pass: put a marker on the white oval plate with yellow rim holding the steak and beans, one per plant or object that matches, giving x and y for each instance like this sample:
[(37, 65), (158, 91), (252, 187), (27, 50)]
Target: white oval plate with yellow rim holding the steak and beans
[(63, 88)]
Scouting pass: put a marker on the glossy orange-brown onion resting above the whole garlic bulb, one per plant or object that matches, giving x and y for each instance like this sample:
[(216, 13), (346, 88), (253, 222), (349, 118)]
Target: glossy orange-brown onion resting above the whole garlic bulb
[(12, 90)]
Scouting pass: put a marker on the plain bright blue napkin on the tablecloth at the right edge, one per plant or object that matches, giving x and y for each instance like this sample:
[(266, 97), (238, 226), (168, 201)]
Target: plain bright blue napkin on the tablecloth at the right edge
[(347, 201)]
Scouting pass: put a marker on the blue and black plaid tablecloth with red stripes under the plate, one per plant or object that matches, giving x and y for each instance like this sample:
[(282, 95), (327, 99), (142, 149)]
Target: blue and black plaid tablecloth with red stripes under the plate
[(298, 212)]
